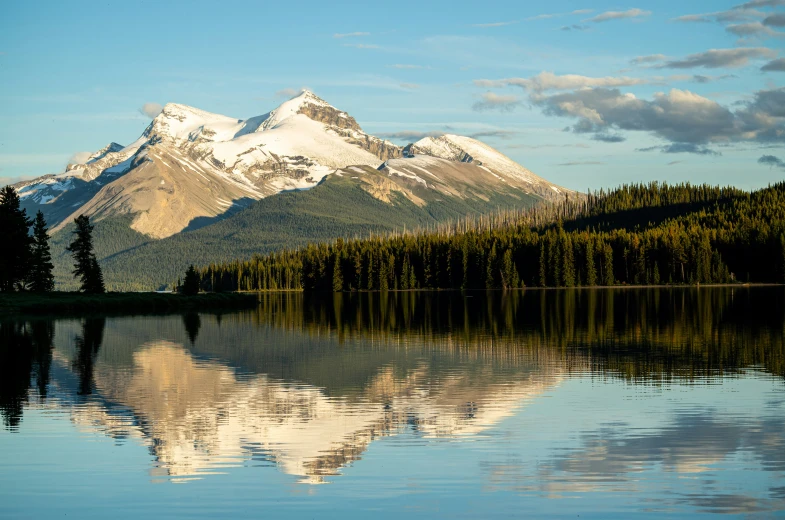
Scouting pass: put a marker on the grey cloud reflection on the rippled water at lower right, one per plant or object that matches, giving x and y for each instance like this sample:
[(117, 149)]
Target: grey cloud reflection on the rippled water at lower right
[(695, 444)]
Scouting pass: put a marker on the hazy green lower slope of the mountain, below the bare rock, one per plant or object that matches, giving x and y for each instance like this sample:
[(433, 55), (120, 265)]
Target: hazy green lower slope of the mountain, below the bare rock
[(354, 202)]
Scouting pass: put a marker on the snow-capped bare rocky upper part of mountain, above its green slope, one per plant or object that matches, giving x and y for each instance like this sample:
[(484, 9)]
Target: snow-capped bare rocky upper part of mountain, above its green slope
[(190, 166)]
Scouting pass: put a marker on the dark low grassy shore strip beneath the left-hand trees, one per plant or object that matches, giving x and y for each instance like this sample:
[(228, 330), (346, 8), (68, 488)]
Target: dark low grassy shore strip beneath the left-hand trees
[(118, 302)]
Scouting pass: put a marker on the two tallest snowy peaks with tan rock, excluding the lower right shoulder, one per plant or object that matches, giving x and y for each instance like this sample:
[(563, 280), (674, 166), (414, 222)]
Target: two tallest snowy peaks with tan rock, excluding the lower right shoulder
[(191, 165)]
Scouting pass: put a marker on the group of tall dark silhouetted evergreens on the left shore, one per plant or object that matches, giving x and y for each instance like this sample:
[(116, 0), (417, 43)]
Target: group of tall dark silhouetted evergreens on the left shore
[(26, 262)]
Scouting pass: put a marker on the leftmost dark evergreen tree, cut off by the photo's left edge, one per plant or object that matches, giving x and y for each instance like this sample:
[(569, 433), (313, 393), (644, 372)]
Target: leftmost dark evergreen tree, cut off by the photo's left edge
[(17, 242)]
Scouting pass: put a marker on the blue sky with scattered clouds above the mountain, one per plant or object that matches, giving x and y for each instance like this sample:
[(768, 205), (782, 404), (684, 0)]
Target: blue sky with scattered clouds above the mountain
[(649, 96)]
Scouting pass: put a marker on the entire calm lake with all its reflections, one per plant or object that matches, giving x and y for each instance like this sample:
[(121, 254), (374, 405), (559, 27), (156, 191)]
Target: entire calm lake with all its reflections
[(590, 403)]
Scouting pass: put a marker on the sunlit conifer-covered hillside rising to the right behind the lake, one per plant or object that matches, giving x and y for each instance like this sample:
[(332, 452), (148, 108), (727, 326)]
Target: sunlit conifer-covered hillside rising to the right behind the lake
[(638, 234)]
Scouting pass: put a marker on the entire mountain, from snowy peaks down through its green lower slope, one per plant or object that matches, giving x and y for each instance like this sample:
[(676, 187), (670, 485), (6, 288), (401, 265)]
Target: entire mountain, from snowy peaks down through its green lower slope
[(198, 187)]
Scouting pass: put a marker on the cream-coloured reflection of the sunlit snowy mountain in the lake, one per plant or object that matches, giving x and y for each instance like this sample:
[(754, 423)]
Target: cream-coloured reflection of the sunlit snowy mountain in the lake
[(198, 416)]
